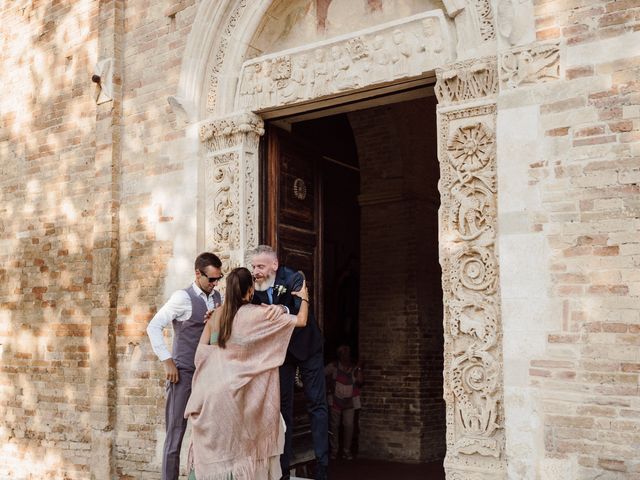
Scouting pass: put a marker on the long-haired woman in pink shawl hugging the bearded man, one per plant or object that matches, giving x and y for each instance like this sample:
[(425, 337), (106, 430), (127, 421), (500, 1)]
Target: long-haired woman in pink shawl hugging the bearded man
[(234, 408)]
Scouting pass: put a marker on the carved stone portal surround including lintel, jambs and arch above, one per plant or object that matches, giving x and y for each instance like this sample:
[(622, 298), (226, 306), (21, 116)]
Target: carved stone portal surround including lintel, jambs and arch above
[(230, 102)]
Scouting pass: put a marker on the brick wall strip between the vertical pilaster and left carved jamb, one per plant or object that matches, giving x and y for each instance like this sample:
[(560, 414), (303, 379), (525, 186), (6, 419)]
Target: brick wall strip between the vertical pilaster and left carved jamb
[(159, 177)]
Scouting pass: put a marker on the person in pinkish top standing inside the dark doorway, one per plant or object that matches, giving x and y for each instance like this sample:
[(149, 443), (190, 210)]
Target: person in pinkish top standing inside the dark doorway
[(344, 381)]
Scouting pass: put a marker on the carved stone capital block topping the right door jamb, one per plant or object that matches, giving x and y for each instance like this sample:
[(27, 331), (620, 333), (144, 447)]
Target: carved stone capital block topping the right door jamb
[(467, 81)]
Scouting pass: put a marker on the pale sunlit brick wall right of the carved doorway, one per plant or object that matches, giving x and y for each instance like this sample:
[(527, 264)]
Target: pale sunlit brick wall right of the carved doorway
[(589, 182)]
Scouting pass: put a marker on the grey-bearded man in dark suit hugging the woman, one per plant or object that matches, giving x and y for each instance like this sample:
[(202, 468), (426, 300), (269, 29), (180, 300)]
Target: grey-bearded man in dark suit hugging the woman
[(273, 285)]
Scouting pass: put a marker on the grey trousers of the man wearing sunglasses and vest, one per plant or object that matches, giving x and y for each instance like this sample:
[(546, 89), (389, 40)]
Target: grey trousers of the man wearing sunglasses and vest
[(177, 397)]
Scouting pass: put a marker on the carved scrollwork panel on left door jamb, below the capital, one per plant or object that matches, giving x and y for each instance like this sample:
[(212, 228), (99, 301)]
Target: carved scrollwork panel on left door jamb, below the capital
[(223, 209)]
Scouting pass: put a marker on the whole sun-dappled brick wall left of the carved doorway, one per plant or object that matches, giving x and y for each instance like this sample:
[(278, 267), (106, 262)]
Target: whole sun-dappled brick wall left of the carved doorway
[(53, 192)]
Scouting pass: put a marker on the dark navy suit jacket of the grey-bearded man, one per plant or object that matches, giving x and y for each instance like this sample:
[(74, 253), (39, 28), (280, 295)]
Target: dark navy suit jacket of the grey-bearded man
[(307, 340)]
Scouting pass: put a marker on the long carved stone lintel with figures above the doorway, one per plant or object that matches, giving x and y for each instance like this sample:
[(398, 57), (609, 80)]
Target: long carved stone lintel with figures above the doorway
[(376, 55)]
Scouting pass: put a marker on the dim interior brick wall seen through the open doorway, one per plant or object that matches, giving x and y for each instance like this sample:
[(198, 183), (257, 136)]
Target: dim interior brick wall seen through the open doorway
[(401, 297)]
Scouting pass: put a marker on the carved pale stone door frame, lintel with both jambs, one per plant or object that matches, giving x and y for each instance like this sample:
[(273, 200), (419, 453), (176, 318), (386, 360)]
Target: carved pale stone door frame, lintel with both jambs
[(467, 154)]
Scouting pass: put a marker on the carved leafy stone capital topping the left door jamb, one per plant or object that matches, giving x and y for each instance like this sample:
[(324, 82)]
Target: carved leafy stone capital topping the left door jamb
[(229, 132)]
